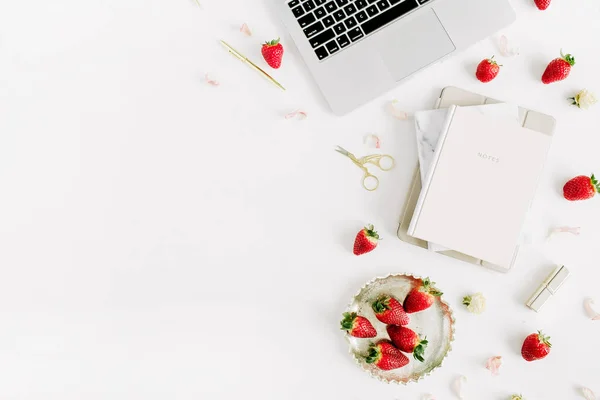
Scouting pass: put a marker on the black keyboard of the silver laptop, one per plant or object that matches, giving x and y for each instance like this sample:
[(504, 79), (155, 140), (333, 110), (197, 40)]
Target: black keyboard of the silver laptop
[(332, 25)]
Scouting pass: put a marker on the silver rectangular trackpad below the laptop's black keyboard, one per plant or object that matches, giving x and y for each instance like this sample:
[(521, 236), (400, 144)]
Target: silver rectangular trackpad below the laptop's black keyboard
[(406, 47)]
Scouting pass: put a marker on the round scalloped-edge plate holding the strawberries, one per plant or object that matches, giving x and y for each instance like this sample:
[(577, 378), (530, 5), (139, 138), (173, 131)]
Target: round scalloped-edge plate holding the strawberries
[(436, 323)]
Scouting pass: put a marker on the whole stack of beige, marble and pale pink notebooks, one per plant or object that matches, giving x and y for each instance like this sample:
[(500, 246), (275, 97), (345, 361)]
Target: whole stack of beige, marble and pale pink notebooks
[(479, 166)]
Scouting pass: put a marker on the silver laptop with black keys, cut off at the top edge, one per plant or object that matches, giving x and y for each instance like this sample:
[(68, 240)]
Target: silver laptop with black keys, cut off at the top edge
[(358, 49)]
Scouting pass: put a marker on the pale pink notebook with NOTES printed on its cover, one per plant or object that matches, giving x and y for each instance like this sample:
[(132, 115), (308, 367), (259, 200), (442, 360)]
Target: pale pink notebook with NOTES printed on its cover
[(480, 184)]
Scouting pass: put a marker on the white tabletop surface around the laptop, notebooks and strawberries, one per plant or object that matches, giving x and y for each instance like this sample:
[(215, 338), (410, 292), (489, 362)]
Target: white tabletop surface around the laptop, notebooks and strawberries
[(162, 238)]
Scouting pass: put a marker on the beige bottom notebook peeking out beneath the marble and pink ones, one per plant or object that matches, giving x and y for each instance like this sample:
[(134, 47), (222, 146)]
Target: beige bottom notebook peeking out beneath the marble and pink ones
[(451, 95)]
